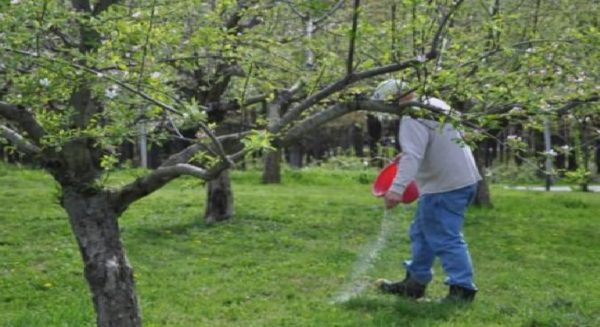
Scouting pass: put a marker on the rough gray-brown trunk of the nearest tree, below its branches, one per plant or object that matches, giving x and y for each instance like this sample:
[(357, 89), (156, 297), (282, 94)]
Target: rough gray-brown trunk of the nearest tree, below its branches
[(106, 267)]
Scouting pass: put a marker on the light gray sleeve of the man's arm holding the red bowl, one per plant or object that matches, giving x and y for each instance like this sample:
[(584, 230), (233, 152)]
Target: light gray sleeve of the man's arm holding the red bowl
[(414, 137)]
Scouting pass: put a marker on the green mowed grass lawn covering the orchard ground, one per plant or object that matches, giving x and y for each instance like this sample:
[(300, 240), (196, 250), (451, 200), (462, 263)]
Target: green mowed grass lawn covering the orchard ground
[(290, 249)]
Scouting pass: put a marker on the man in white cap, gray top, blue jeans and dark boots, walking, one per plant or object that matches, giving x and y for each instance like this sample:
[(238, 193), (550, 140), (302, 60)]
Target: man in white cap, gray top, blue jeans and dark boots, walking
[(447, 176)]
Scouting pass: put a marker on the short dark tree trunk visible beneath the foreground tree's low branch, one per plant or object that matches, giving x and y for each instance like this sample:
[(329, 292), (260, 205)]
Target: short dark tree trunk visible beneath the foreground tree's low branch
[(219, 199)]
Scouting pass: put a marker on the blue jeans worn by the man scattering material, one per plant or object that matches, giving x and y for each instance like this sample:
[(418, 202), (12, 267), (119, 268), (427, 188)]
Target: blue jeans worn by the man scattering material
[(436, 230)]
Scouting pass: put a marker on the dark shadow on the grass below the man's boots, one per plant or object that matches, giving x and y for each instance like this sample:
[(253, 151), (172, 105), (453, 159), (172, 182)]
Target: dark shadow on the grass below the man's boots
[(397, 311)]
